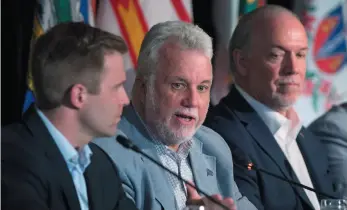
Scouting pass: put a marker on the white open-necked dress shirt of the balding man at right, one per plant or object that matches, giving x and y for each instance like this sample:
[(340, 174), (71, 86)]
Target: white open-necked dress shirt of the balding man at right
[(285, 131)]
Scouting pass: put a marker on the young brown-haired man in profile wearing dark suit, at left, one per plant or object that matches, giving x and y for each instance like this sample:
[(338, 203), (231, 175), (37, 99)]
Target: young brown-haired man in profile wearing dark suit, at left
[(47, 161)]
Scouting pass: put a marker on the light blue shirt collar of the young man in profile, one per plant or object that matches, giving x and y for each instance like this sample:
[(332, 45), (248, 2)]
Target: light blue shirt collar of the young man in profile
[(70, 154)]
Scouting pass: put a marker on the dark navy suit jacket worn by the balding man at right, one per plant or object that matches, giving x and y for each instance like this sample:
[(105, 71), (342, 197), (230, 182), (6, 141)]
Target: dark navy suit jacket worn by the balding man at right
[(249, 138)]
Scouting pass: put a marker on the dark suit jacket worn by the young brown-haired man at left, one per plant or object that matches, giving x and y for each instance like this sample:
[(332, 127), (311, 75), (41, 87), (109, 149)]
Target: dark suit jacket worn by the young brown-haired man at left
[(35, 175)]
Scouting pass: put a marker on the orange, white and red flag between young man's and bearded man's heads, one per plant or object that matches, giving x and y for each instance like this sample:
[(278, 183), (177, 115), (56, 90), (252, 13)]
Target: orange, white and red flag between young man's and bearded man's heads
[(131, 19)]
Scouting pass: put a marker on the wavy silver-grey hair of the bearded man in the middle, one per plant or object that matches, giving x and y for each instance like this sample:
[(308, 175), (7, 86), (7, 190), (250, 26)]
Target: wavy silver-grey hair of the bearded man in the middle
[(187, 35)]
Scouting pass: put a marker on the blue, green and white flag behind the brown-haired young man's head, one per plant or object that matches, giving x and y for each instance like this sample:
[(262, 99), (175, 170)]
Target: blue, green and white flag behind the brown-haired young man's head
[(51, 12)]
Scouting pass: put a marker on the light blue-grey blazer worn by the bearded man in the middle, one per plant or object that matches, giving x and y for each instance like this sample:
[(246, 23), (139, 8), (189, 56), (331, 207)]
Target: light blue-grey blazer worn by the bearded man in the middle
[(146, 184)]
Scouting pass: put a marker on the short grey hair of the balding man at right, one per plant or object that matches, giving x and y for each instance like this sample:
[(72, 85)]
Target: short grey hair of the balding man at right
[(242, 35)]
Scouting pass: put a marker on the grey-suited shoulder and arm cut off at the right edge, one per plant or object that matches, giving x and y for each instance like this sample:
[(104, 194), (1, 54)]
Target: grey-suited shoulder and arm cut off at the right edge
[(332, 130)]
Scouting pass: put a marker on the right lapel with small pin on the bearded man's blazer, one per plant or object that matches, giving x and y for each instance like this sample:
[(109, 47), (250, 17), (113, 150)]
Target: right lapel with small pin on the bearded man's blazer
[(204, 169)]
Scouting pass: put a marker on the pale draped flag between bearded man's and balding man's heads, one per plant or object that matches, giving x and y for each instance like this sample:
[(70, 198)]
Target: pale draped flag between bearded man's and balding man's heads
[(226, 14)]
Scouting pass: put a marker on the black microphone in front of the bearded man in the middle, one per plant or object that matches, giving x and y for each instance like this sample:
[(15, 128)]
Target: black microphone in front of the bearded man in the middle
[(130, 145)]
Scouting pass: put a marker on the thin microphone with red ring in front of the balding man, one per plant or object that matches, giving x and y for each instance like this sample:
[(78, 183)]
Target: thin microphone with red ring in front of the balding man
[(251, 166)]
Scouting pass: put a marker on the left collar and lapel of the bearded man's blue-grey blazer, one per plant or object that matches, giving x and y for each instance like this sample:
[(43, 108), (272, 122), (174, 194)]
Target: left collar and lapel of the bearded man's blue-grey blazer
[(137, 132)]
